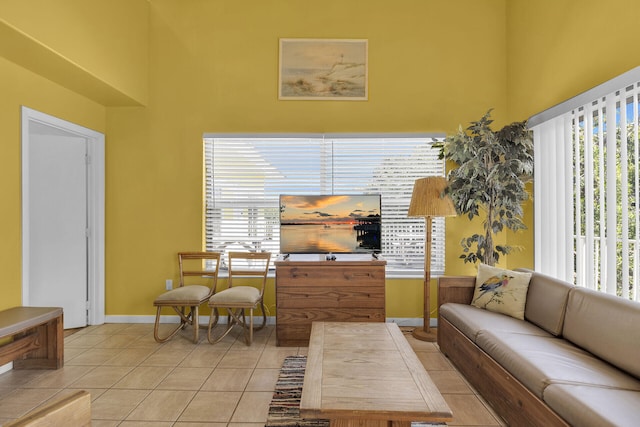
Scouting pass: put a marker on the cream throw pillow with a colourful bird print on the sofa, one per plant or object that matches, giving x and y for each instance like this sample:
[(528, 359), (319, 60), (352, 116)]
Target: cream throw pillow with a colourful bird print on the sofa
[(501, 291)]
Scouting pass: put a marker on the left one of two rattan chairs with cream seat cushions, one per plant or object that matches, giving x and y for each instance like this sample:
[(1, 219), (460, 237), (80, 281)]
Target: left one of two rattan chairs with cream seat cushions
[(186, 296)]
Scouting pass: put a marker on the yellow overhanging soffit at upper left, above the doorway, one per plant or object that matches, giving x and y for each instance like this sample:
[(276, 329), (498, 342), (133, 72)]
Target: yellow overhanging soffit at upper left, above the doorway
[(97, 48)]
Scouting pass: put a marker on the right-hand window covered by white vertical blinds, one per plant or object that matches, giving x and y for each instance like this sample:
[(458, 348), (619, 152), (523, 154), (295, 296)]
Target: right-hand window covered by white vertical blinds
[(586, 188)]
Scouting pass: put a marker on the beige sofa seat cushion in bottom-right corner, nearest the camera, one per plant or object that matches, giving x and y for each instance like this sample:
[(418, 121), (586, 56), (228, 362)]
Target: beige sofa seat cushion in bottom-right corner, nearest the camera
[(587, 406)]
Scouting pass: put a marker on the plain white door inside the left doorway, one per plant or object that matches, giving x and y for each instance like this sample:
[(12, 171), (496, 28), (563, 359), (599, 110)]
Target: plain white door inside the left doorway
[(58, 224)]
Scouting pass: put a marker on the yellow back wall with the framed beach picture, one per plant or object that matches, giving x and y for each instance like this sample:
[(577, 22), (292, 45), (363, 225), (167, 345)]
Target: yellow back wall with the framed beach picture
[(214, 68)]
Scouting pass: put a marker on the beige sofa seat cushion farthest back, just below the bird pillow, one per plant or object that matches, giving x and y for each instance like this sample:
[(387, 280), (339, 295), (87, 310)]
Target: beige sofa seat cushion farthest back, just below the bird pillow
[(471, 320)]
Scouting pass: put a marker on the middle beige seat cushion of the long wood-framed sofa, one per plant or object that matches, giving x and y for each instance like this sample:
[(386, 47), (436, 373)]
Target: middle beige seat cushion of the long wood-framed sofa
[(537, 361)]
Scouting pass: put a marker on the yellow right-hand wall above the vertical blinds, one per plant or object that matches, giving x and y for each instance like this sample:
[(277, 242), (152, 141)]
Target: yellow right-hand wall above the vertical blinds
[(557, 49)]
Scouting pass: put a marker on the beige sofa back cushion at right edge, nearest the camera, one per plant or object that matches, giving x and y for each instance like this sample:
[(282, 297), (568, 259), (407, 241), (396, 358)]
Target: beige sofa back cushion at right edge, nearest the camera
[(606, 326)]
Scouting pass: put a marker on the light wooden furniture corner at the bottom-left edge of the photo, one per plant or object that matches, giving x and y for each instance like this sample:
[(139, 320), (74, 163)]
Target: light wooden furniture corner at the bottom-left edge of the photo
[(71, 410)]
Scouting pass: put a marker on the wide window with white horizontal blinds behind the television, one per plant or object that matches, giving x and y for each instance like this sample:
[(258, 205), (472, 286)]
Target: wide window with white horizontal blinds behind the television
[(245, 175)]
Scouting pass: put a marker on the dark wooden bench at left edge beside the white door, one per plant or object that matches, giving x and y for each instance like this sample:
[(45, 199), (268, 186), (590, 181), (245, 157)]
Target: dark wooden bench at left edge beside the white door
[(37, 337)]
